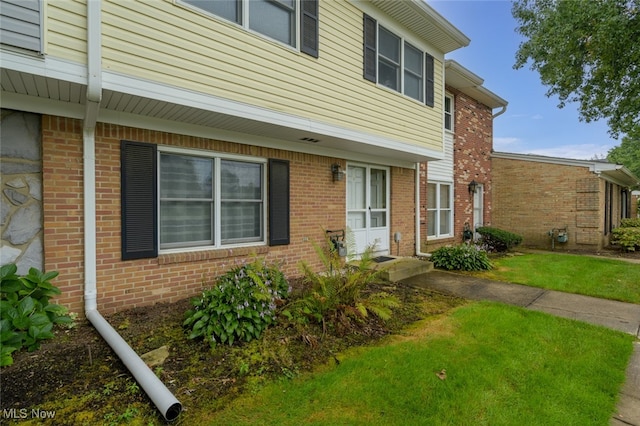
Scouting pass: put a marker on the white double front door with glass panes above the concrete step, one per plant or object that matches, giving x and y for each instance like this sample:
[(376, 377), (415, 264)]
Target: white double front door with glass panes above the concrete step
[(368, 208)]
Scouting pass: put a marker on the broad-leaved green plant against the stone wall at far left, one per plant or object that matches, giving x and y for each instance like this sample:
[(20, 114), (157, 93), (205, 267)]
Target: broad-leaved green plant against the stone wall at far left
[(26, 316)]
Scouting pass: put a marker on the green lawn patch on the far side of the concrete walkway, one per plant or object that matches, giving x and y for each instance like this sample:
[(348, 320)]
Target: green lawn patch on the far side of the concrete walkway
[(604, 278)]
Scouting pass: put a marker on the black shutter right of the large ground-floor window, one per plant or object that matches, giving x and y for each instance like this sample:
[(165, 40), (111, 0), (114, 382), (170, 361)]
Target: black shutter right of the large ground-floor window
[(278, 202)]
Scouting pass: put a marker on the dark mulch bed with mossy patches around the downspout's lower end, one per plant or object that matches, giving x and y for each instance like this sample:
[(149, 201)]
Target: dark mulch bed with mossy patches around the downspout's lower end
[(77, 376)]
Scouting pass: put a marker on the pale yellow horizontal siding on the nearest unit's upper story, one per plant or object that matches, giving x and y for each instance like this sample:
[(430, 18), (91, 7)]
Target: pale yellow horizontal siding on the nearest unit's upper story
[(165, 42)]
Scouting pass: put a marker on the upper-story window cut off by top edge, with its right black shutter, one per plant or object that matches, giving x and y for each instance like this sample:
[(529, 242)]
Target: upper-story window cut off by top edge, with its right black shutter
[(276, 19)]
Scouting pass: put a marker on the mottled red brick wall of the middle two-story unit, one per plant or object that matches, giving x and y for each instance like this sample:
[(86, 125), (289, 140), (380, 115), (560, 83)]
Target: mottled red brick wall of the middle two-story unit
[(472, 146)]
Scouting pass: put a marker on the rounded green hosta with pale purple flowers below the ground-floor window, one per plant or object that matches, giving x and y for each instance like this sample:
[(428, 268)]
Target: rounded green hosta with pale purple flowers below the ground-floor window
[(240, 306)]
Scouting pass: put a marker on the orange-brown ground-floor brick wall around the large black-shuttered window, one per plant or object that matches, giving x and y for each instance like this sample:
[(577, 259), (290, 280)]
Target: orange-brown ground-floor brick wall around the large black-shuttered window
[(317, 203)]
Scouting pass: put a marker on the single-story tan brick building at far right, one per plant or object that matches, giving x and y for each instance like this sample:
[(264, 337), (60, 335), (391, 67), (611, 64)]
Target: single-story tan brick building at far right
[(536, 196)]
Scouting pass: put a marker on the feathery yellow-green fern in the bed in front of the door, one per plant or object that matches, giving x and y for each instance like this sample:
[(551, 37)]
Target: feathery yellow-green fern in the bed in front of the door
[(337, 294)]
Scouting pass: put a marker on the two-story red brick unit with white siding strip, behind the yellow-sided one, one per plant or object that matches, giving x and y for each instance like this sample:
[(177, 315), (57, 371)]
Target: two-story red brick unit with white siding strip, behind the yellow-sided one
[(447, 204)]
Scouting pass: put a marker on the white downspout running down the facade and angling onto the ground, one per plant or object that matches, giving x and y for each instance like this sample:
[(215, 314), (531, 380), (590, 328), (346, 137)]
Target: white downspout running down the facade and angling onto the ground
[(164, 400)]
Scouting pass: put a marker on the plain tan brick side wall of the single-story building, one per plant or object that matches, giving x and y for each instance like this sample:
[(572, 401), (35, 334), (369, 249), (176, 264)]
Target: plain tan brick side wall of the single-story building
[(532, 198)]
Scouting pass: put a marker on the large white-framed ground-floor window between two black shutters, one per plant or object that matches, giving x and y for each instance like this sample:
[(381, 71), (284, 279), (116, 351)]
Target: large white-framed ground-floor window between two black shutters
[(209, 200)]
